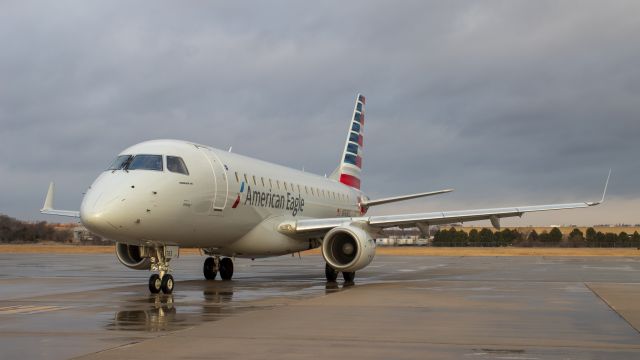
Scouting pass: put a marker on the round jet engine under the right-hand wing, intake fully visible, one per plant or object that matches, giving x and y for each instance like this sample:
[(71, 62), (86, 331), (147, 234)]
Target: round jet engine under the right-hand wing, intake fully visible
[(348, 248)]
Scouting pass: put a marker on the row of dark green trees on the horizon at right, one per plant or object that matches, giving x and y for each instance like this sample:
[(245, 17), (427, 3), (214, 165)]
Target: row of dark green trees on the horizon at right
[(554, 238)]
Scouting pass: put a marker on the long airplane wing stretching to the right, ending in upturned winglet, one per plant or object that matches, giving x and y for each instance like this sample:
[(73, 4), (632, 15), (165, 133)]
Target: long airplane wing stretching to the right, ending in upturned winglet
[(303, 226)]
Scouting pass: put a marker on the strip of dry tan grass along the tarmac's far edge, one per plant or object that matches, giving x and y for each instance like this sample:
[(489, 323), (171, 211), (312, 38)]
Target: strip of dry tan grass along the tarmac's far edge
[(398, 251)]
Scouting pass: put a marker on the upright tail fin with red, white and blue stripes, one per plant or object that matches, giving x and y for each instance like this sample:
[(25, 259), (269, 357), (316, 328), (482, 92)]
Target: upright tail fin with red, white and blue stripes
[(350, 167)]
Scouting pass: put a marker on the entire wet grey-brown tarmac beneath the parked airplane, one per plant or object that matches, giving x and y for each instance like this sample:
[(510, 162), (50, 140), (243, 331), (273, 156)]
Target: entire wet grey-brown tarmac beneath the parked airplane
[(62, 306)]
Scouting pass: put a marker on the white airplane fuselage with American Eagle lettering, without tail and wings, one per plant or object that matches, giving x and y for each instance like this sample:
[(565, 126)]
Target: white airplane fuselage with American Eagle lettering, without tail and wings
[(228, 203)]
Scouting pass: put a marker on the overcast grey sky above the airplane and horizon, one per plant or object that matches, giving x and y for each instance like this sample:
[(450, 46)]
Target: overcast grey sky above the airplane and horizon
[(509, 102)]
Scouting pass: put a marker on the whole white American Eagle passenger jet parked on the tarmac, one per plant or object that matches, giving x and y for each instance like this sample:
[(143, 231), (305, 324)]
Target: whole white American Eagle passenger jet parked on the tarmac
[(160, 195)]
